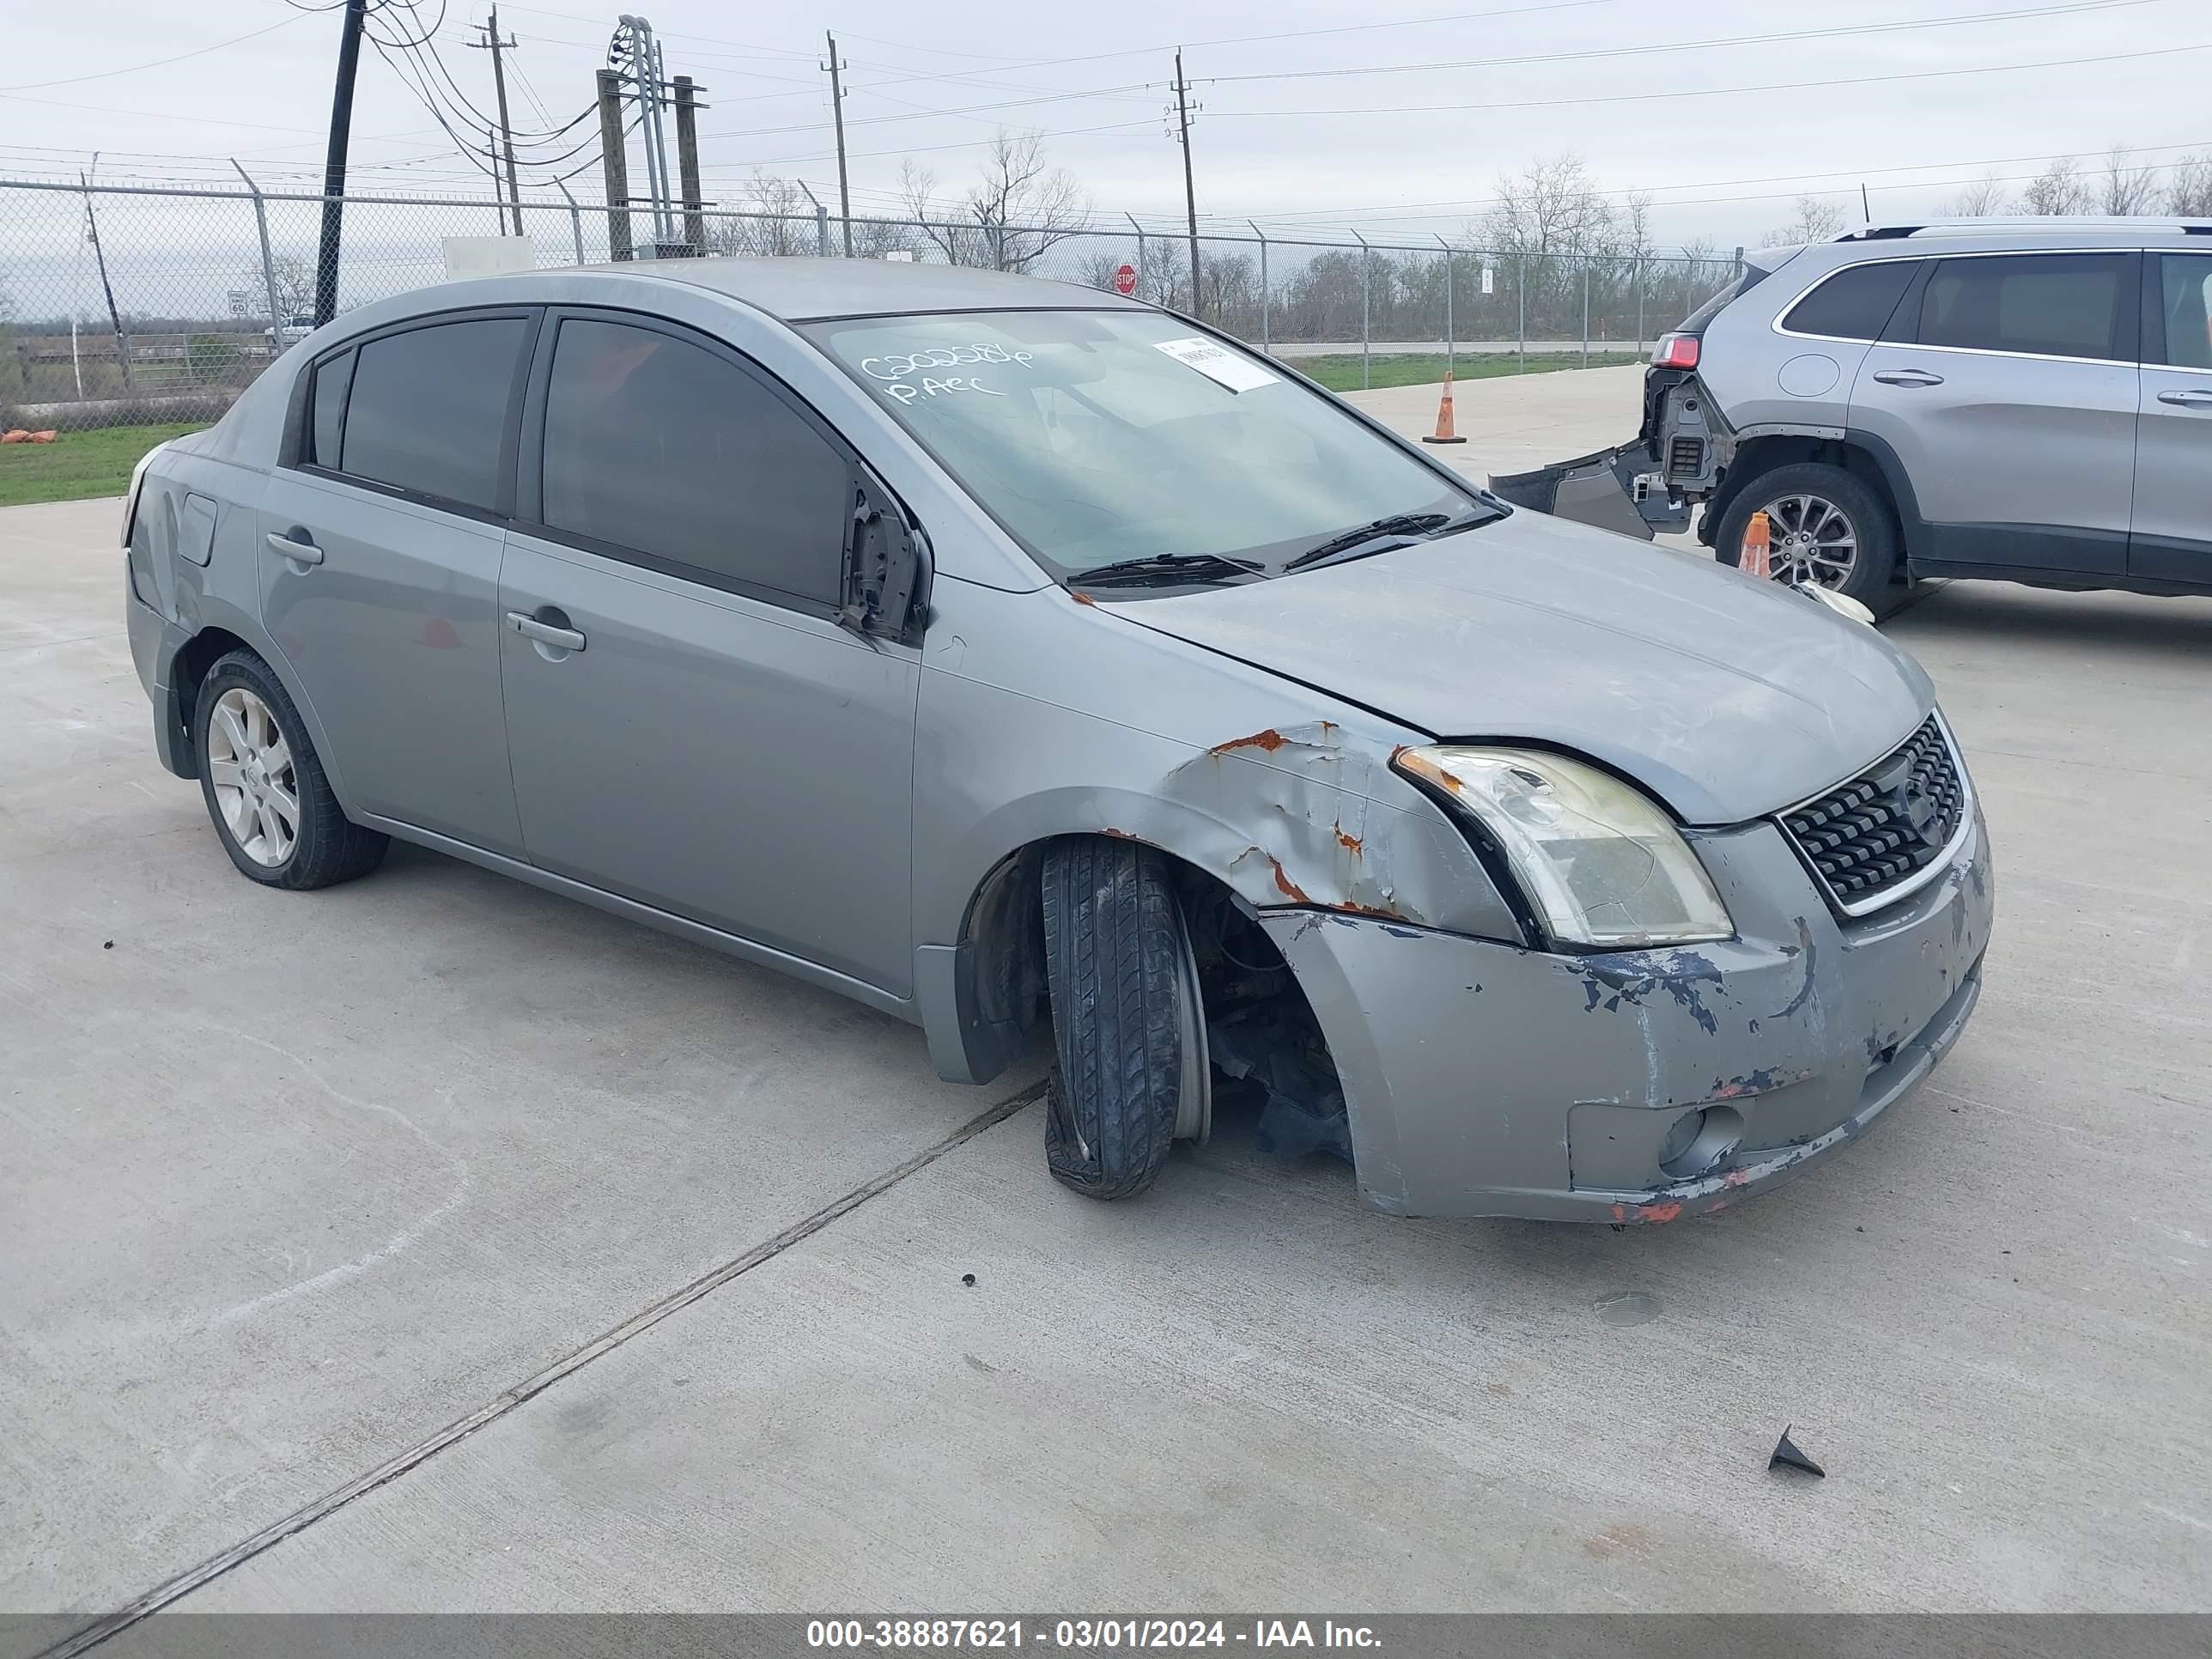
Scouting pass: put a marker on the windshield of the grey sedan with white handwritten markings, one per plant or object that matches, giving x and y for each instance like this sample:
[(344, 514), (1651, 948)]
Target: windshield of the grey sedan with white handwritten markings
[(1116, 437)]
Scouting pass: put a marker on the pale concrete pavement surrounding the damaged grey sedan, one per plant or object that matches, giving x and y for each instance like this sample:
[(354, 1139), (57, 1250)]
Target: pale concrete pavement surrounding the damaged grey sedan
[(295, 1185)]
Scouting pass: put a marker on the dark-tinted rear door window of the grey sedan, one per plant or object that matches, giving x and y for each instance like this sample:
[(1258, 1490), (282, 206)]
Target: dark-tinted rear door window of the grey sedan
[(428, 410)]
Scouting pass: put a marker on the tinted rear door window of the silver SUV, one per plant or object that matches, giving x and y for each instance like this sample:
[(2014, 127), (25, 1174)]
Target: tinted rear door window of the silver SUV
[(2043, 304)]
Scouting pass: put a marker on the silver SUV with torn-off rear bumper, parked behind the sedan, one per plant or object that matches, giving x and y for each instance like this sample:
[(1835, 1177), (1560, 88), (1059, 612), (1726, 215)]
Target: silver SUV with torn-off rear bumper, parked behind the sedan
[(2018, 399)]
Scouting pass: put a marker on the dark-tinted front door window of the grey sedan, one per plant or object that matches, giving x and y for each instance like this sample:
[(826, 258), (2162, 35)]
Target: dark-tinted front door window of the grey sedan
[(680, 457)]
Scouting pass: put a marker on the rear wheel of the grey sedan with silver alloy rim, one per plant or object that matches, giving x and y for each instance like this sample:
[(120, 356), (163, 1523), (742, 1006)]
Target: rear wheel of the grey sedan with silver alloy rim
[(264, 784)]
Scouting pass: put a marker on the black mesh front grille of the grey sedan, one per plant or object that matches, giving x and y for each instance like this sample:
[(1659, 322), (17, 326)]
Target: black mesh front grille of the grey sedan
[(1879, 831)]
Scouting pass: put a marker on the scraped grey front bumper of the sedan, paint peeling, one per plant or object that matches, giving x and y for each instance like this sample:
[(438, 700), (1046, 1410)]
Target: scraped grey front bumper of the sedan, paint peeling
[(1490, 1081)]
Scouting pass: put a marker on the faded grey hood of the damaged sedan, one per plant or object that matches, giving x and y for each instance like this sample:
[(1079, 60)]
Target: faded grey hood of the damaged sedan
[(1726, 698)]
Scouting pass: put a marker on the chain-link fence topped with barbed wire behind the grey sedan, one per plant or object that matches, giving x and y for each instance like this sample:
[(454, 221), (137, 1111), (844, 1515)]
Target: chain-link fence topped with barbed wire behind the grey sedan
[(147, 306)]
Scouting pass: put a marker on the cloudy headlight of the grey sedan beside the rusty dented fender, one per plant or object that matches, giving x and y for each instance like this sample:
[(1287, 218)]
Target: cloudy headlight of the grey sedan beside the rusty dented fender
[(1600, 862)]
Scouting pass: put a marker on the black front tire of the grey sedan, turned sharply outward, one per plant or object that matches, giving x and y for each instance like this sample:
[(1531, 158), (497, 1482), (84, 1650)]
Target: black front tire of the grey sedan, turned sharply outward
[(1114, 954)]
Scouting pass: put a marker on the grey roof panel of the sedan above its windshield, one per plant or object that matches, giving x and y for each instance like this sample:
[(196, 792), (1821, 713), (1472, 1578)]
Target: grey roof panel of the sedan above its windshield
[(802, 291)]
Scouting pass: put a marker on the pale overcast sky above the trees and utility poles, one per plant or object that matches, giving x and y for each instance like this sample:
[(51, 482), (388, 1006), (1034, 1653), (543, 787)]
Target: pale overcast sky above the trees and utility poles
[(1392, 116)]
